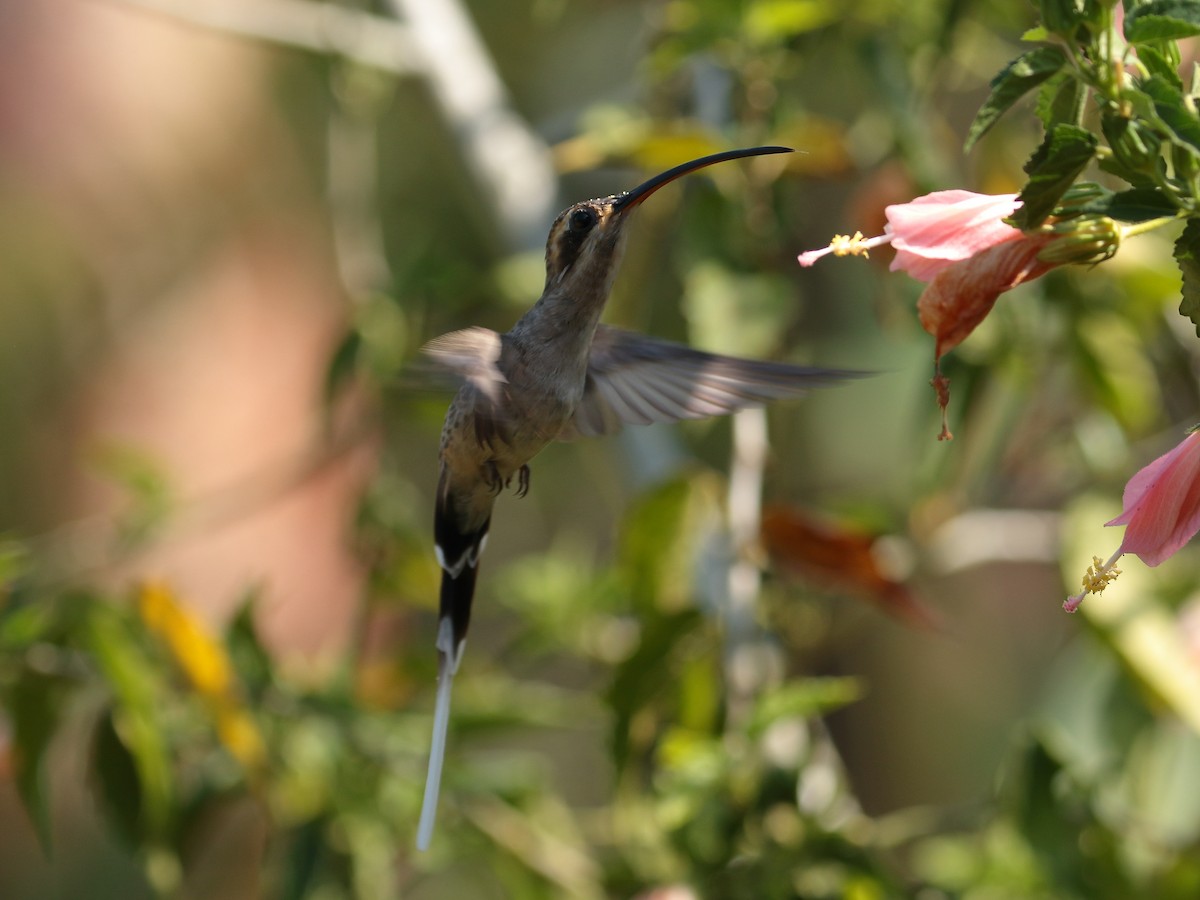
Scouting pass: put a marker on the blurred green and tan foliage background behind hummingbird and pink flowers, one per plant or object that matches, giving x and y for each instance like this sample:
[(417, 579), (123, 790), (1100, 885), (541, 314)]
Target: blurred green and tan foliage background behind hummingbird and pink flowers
[(811, 652)]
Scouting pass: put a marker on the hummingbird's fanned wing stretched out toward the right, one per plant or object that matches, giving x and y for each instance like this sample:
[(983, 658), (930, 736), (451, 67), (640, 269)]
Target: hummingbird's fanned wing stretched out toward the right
[(634, 380)]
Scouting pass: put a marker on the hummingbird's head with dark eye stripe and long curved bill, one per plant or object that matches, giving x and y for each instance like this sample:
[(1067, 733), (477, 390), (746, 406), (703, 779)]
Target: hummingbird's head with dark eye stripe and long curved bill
[(585, 241)]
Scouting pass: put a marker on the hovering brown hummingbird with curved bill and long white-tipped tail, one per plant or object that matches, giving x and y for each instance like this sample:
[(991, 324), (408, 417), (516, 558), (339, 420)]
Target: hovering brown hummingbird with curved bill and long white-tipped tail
[(559, 375)]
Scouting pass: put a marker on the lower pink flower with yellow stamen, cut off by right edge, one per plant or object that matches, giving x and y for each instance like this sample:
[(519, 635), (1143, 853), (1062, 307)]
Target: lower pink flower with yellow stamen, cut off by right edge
[(1162, 513)]
